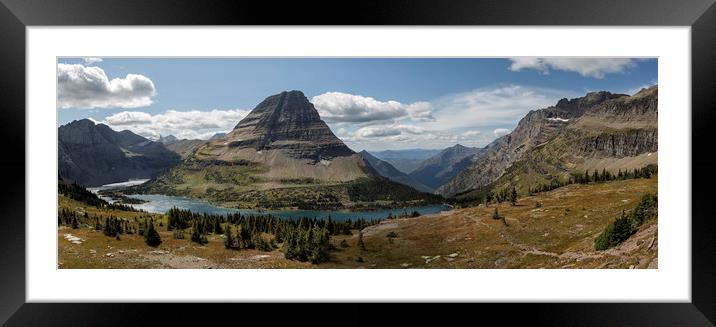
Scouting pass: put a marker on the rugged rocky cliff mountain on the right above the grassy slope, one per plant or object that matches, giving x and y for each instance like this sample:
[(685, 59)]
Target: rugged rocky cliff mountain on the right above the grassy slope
[(552, 142)]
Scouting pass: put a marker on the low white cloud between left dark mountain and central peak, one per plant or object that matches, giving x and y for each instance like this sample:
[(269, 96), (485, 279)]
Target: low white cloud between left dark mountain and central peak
[(192, 124)]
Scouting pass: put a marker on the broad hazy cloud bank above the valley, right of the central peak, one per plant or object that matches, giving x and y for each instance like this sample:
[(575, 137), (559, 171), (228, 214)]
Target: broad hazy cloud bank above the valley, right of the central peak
[(468, 118)]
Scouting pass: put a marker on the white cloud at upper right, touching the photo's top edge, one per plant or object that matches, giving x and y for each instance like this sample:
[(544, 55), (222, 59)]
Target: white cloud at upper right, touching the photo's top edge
[(588, 67)]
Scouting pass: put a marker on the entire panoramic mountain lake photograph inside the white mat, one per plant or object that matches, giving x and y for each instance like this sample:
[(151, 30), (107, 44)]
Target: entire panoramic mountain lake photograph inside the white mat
[(362, 163)]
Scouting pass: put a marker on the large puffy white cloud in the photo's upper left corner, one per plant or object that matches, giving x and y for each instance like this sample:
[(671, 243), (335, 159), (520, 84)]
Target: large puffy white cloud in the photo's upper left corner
[(79, 86)]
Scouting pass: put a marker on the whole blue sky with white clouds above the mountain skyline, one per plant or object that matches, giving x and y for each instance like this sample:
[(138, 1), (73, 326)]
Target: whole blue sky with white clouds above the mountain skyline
[(370, 103)]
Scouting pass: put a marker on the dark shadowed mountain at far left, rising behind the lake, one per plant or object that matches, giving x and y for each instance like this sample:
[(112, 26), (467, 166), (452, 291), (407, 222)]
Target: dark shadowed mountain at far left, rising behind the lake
[(94, 154)]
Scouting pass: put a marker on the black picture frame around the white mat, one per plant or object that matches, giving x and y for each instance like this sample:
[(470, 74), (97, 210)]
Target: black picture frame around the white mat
[(16, 15)]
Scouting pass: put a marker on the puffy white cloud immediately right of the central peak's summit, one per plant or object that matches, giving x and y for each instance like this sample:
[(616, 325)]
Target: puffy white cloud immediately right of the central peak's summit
[(344, 107)]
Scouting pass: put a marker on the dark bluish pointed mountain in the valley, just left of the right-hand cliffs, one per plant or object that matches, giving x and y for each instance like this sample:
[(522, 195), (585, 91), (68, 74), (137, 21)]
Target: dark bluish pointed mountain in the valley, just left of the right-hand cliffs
[(442, 167)]
